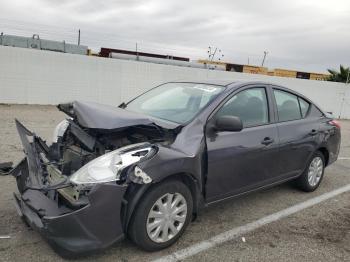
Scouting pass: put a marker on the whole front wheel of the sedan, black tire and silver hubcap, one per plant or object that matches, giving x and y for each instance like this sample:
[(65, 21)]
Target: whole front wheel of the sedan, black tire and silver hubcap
[(143, 229)]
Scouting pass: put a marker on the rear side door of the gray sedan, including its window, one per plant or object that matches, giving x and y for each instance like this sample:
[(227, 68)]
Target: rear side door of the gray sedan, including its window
[(297, 132)]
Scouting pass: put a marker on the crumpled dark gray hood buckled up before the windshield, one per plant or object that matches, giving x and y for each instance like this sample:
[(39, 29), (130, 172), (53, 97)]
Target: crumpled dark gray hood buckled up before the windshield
[(99, 116)]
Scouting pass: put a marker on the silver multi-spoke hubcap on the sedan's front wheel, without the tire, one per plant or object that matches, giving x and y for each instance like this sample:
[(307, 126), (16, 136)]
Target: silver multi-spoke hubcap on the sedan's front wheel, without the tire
[(166, 217)]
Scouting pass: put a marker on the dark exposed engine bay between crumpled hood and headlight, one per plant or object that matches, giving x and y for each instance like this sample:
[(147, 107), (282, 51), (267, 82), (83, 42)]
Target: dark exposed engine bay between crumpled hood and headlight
[(79, 146)]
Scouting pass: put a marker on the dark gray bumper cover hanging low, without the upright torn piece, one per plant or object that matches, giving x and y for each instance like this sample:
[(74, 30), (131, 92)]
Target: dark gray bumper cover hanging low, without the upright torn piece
[(93, 227)]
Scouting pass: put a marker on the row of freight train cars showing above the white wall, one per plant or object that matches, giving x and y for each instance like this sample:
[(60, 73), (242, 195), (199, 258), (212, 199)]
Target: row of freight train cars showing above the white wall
[(35, 42)]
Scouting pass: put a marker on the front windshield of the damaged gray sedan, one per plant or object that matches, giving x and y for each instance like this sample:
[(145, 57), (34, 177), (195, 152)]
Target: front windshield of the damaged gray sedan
[(175, 102)]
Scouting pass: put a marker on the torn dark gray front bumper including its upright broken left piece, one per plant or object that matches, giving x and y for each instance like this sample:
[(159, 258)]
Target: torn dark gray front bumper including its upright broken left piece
[(95, 226)]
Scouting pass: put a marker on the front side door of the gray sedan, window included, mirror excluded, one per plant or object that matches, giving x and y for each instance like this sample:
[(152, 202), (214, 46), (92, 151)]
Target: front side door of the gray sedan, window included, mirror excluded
[(244, 160)]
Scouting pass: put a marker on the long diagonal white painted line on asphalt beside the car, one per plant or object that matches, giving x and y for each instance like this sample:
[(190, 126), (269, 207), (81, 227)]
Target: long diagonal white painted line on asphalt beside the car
[(238, 231)]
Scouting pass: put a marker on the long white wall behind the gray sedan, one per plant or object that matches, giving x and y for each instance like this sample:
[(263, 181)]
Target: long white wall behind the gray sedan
[(42, 77)]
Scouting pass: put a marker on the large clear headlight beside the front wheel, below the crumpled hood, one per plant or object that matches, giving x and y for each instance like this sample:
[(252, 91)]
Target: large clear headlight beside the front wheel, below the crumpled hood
[(107, 168)]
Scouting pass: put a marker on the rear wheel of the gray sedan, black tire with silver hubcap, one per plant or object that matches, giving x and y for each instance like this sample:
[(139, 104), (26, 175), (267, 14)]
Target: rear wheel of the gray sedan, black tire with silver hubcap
[(309, 181)]
